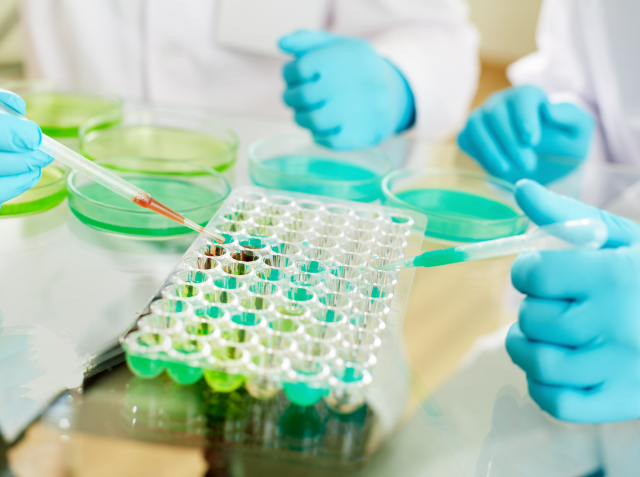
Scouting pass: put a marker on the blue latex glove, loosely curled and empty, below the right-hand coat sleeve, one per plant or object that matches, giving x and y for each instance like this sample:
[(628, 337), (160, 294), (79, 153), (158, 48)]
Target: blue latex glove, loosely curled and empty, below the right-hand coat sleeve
[(514, 128)]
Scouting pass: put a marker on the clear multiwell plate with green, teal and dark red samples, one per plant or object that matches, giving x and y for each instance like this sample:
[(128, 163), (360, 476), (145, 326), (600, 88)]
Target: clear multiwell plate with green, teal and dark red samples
[(292, 301)]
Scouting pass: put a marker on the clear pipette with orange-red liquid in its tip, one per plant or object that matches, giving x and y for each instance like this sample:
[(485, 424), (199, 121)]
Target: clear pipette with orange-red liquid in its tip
[(112, 181)]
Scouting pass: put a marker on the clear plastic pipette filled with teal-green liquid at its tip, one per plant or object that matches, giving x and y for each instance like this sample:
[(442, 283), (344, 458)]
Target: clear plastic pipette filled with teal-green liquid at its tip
[(584, 233)]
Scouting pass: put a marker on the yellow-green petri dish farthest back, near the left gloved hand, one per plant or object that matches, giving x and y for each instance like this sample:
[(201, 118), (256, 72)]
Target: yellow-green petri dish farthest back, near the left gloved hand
[(60, 111)]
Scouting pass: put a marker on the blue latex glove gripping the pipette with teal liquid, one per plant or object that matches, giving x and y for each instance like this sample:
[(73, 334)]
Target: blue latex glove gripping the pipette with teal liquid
[(578, 336)]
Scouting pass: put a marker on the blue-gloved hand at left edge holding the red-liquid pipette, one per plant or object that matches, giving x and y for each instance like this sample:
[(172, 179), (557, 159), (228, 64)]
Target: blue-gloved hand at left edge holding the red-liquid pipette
[(21, 162)]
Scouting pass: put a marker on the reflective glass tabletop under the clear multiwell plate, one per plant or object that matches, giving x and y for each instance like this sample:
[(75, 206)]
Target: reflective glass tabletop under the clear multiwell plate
[(460, 407)]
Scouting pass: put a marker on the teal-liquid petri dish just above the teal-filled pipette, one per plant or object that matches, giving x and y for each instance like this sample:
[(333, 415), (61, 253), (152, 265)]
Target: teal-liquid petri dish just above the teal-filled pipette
[(461, 206)]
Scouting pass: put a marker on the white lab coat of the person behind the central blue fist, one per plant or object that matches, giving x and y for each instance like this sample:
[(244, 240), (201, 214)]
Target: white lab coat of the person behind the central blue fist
[(167, 52)]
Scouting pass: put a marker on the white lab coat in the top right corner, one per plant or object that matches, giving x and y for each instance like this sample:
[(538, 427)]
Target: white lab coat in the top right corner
[(588, 54)]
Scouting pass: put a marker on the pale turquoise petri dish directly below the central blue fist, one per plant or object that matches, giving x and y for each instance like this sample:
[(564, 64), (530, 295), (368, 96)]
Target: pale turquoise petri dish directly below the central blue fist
[(296, 163)]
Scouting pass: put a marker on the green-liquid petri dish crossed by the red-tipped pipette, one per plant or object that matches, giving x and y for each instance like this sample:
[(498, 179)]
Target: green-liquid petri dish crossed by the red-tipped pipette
[(191, 189)]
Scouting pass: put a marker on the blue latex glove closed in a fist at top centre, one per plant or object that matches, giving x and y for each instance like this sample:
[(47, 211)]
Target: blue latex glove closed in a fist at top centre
[(343, 91)]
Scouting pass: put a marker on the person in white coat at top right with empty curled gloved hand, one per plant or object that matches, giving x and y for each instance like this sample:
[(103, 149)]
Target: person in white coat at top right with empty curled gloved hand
[(577, 96)]
